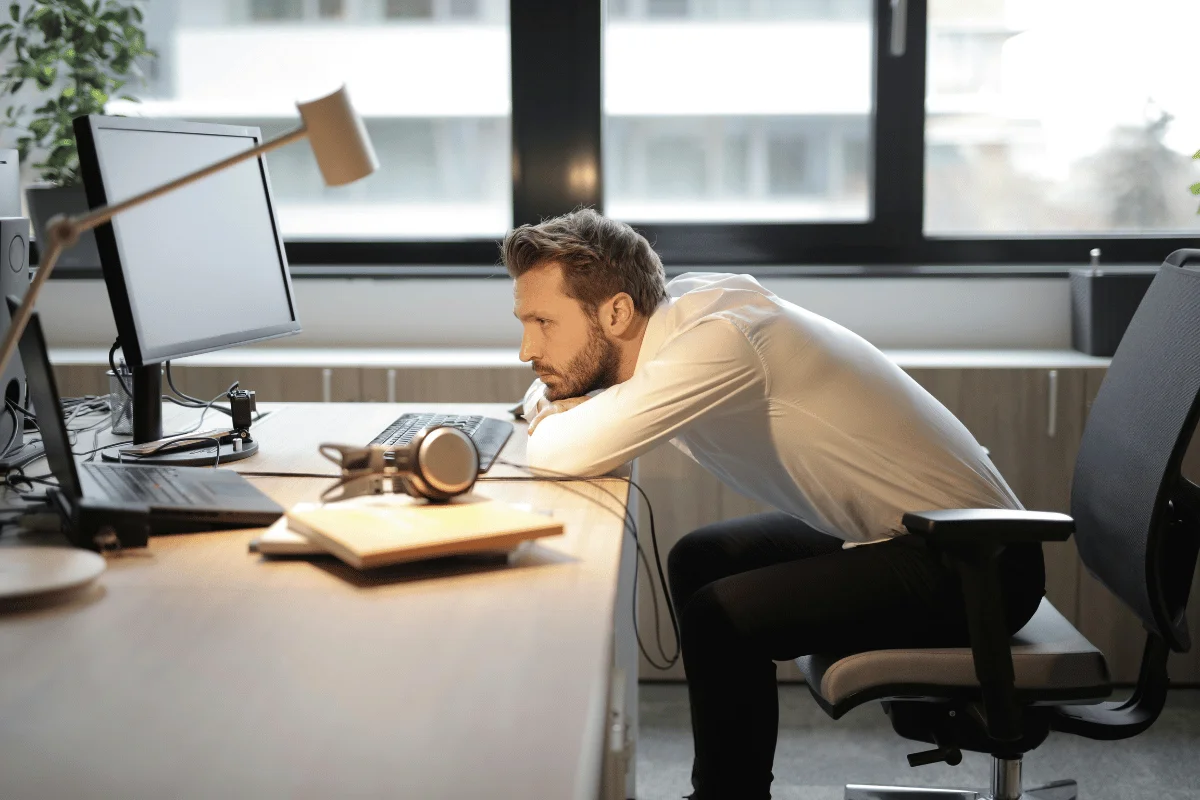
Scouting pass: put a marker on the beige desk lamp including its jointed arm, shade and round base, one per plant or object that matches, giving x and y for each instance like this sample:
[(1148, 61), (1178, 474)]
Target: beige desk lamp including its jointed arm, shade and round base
[(344, 153)]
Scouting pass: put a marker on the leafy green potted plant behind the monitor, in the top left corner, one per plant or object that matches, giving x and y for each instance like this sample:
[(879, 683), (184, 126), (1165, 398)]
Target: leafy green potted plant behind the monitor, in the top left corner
[(77, 56)]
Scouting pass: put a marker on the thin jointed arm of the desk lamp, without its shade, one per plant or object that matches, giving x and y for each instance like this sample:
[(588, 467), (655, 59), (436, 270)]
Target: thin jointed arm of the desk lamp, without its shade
[(63, 232)]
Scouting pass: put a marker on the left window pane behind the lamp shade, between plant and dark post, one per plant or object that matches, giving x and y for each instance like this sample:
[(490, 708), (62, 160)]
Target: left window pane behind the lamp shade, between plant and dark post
[(435, 101)]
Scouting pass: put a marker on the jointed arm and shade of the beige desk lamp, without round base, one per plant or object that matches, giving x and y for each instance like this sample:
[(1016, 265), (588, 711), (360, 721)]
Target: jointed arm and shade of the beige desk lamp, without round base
[(339, 141)]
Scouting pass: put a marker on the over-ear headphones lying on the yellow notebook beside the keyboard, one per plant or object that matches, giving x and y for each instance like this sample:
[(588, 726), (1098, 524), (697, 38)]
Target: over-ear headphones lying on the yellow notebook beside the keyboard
[(440, 464)]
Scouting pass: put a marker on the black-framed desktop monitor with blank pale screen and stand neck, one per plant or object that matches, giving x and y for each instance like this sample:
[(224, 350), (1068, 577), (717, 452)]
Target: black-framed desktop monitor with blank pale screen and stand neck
[(200, 269)]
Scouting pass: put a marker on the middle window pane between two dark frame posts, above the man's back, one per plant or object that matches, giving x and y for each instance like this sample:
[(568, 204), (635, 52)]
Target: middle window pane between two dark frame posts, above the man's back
[(737, 111)]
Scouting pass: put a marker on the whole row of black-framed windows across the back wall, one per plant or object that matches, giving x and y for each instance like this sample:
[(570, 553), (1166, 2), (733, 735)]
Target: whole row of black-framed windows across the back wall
[(748, 134)]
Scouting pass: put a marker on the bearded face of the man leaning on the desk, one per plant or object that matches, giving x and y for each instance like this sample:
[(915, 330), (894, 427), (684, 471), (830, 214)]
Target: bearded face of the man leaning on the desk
[(566, 344)]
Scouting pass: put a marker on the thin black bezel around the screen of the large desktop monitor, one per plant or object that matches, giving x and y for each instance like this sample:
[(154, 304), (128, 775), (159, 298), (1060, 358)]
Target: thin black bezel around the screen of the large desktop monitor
[(137, 356)]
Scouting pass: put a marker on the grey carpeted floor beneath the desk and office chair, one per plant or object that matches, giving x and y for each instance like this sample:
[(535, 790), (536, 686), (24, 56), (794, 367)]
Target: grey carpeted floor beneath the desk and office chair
[(817, 756)]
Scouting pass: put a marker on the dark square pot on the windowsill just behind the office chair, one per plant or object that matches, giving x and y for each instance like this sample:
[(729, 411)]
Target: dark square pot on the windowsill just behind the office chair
[(1103, 303)]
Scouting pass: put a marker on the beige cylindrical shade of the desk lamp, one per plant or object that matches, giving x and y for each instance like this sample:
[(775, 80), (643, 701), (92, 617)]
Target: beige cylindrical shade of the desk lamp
[(339, 139)]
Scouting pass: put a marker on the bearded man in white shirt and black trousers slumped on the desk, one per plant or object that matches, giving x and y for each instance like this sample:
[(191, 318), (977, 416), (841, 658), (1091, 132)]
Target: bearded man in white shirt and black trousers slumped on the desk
[(785, 407)]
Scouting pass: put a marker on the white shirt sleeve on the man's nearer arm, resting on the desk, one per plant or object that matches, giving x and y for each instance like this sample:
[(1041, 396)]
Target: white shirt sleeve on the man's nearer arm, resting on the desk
[(711, 369)]
